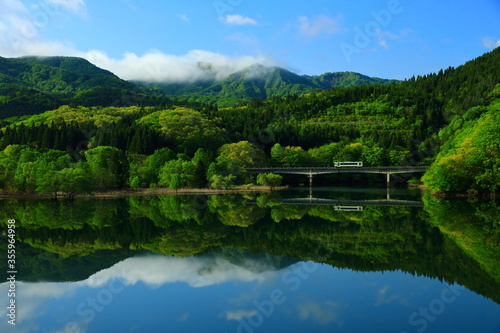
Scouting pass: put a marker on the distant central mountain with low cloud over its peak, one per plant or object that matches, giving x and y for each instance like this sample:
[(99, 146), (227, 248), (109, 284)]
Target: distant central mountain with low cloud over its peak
[(258, 81)]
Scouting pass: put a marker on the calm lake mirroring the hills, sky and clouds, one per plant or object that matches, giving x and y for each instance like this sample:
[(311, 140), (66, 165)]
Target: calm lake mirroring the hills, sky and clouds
[(329, 260)]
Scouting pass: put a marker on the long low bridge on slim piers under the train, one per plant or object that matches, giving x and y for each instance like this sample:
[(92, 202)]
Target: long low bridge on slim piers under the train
[(312, 171)]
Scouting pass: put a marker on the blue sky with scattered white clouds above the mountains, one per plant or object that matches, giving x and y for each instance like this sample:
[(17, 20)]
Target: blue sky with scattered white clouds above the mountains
[(168, 40)]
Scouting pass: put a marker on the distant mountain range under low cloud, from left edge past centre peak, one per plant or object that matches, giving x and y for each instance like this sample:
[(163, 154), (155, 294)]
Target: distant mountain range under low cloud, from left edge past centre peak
[(31, 85)]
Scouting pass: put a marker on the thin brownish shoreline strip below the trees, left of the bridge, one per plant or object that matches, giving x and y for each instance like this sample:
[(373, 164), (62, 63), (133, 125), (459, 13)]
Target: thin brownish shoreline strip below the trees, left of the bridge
[(124, 193)]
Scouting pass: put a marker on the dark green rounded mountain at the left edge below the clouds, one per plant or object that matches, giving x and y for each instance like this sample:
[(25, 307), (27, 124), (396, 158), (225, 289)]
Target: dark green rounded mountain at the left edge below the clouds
[(31, 85)]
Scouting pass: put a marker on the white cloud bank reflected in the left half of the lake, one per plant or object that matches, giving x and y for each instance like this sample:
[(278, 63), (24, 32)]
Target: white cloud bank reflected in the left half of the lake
[(152, 270)]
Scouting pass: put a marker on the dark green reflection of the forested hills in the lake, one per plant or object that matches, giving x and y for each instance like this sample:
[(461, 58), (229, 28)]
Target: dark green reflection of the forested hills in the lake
[(72, 241)]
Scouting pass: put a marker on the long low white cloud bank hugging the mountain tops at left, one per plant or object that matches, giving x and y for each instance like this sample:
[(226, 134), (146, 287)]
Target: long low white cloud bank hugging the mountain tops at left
[(154, 66)]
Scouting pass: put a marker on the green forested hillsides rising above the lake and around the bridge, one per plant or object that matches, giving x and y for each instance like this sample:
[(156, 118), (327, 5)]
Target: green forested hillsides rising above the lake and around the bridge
[(98, 132)]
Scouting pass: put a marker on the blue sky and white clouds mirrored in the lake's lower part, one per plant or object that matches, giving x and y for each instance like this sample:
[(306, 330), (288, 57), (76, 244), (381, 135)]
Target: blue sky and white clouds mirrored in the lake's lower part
[(156, 293)]
